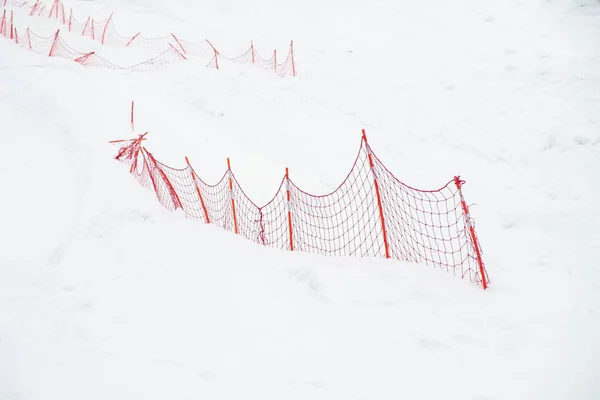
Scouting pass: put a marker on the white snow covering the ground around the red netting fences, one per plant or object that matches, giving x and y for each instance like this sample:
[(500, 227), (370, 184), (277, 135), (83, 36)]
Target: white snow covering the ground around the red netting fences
[(104, 294)]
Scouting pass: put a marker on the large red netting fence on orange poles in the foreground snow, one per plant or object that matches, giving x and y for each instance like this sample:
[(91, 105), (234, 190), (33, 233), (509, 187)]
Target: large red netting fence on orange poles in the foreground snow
[(371, 213)]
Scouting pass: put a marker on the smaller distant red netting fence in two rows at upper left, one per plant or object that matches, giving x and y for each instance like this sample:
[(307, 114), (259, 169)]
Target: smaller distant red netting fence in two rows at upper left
[(168, 48)]
